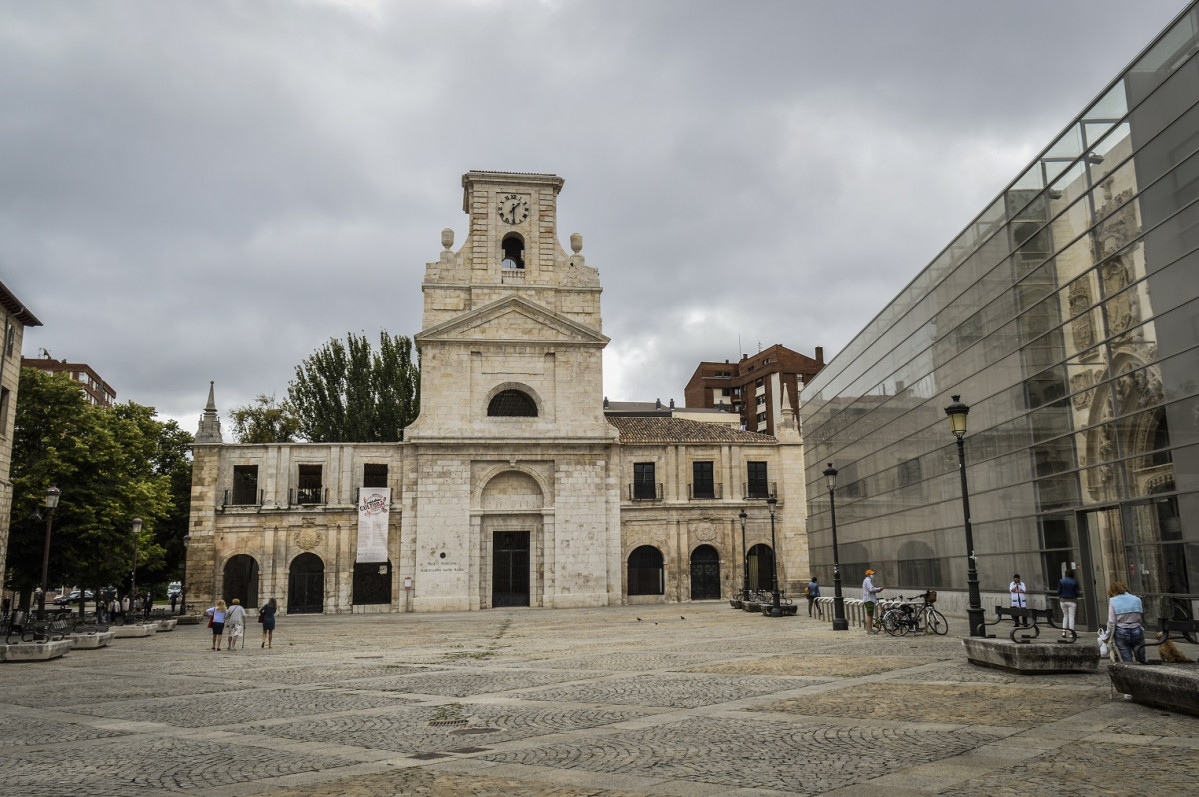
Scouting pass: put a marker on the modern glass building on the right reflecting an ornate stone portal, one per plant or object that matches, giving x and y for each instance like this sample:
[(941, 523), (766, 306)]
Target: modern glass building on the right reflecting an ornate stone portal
[(1068, 317)]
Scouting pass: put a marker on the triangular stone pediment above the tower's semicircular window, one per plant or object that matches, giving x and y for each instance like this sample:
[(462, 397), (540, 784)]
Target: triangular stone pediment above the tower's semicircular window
[(513, 319)]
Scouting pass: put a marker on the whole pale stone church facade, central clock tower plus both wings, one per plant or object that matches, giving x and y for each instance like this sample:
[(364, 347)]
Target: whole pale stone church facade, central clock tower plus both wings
[(513, 487)]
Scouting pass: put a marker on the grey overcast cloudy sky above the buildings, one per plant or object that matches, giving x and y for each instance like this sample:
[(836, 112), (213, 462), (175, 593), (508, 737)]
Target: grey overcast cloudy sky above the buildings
[(212, 191)]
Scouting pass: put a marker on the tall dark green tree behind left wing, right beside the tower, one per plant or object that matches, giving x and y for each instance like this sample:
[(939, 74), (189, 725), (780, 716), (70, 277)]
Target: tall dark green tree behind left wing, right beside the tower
[(350, 394)]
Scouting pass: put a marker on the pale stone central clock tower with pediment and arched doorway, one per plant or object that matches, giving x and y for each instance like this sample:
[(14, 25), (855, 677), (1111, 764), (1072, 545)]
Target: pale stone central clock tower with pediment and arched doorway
[(515, 497)]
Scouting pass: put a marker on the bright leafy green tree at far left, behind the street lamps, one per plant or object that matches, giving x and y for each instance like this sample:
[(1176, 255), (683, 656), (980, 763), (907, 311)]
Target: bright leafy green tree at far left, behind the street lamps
[(109, 466)]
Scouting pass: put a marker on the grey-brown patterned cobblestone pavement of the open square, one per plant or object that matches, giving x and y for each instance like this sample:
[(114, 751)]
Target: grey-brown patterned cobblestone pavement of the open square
[(625, 702)]
